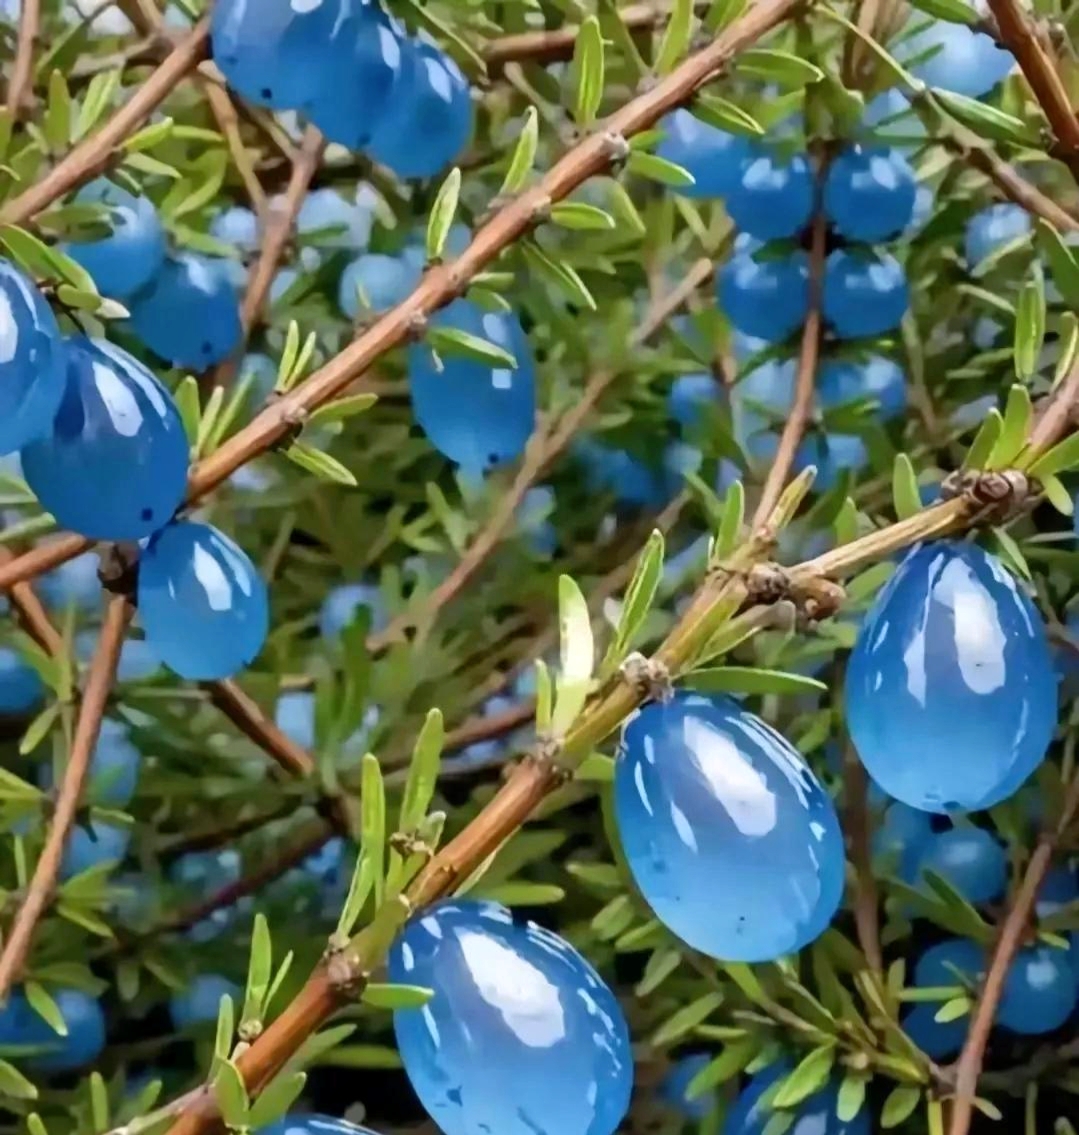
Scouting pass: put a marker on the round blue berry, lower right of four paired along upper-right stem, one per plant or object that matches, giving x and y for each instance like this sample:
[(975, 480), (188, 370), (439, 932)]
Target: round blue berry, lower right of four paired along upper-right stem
[(864, 295)]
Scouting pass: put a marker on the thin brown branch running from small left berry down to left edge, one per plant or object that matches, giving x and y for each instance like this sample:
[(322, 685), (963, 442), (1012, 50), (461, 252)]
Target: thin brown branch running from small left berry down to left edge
[(99, 683)]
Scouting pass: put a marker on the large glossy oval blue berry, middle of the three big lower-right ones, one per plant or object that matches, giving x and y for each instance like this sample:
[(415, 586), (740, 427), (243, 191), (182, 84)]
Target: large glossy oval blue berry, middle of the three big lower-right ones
[(701, 783)]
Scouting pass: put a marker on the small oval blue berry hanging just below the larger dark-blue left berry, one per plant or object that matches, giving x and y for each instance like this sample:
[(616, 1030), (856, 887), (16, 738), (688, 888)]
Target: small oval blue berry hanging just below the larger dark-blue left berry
[(203, 602)]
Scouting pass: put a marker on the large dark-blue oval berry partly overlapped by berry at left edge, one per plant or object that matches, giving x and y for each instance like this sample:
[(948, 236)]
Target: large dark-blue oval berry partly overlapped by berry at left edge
[(115, 466)]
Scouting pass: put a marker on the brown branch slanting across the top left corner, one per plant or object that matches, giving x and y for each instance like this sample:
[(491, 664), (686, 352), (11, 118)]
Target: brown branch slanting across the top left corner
[(92, 156)]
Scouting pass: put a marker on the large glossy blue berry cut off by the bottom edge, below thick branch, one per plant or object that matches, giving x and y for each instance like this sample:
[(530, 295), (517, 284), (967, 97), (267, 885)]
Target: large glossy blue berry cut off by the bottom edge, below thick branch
[(516, 1012)]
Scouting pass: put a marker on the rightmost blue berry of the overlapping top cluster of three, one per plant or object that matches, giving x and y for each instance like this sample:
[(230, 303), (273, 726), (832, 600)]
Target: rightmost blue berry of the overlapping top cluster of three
[(429, 119)]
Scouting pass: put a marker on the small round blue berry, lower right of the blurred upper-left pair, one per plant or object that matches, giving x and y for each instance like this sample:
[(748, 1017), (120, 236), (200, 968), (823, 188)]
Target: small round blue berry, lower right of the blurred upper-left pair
[(190, 315)]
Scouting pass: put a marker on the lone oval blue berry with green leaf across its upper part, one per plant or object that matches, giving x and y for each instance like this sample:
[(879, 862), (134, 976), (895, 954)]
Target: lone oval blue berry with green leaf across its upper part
[(476, 415)]
